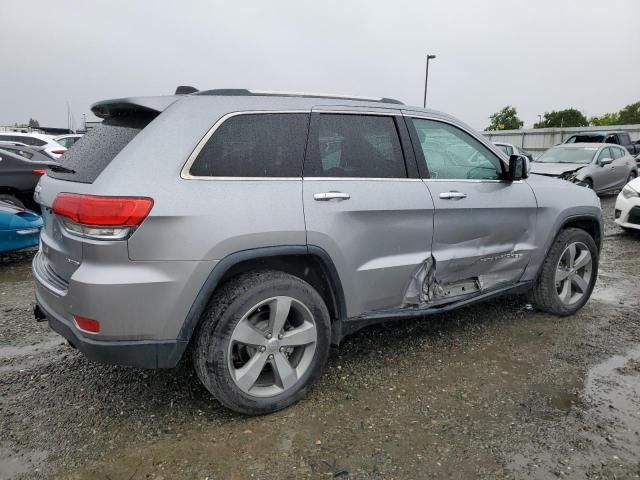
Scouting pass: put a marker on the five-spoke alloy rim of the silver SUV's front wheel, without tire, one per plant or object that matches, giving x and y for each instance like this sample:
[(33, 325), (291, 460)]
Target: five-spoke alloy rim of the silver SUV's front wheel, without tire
[(573, 273)]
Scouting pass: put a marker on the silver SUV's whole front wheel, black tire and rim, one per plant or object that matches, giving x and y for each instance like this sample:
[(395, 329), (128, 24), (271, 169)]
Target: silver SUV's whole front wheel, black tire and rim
[(568, 274)]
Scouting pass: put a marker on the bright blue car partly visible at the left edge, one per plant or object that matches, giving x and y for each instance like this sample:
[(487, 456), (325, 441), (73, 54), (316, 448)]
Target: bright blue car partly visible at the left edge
[(19, 228)]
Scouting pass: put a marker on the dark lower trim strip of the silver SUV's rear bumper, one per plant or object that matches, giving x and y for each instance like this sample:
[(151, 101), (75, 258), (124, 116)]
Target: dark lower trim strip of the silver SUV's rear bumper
[(142, 354)]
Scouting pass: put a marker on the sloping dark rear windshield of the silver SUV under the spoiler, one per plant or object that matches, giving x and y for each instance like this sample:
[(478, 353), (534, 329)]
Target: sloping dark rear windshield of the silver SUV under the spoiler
[(94, 151)]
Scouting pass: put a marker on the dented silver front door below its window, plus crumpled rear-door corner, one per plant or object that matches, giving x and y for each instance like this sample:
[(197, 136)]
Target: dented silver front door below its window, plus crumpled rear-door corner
[(480, 242)]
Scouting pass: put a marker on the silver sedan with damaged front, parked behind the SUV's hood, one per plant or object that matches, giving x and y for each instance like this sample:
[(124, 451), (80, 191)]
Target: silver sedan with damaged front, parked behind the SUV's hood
[(599, 166)]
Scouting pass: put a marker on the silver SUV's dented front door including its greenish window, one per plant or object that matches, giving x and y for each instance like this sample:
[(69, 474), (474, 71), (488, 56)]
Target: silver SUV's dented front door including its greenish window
[(484, 226)]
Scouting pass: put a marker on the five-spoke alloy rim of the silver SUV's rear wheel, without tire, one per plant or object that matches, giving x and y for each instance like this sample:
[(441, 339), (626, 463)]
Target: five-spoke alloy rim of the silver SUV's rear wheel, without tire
[(272, 346)]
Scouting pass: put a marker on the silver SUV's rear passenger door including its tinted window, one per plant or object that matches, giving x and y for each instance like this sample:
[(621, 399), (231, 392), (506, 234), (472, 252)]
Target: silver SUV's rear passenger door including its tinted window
[(365, 205)]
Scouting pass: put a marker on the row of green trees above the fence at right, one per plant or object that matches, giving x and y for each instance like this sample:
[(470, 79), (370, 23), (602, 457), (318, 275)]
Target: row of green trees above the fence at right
[(507, 118)]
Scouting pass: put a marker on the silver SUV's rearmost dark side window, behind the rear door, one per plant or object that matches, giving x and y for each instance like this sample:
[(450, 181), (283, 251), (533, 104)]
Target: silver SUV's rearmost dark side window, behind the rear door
[(255, 145)]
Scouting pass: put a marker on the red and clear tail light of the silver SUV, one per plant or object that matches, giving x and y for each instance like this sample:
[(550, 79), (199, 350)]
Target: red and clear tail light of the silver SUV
[(101, 218)]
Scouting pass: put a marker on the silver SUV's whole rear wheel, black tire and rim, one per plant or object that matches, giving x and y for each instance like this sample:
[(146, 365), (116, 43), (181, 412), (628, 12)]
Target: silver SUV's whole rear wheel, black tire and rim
[(263, 342)]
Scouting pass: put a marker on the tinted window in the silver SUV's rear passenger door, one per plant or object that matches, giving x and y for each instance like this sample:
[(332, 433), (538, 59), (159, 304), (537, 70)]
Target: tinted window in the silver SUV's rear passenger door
[(349, 145)]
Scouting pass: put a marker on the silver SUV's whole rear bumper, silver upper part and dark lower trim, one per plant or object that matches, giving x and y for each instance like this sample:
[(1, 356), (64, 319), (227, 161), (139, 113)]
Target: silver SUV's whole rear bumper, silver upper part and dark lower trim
[(141, 307)]
